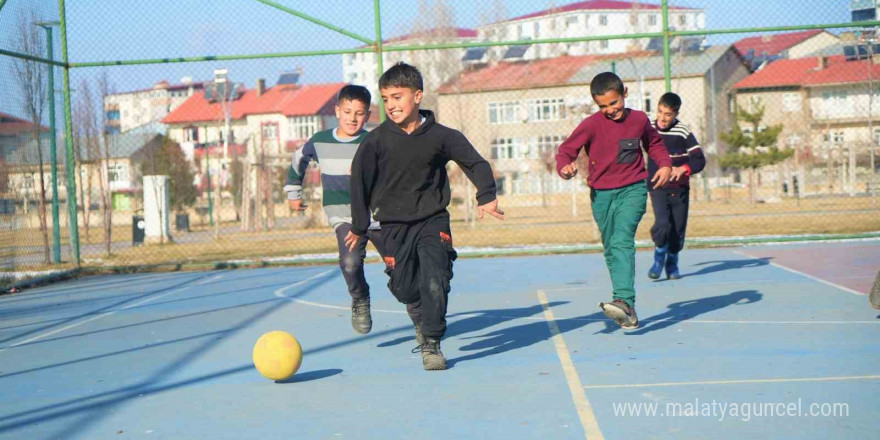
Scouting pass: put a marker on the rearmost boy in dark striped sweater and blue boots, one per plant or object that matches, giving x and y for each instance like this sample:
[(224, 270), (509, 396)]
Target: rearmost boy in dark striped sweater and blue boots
[(670, 203)]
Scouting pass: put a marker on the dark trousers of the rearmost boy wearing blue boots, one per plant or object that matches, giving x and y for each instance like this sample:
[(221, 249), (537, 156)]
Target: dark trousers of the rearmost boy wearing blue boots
[(670, 217)]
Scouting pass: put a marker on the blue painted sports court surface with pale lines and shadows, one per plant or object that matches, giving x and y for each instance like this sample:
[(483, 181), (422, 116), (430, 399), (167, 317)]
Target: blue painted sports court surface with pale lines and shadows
[(753, 342)]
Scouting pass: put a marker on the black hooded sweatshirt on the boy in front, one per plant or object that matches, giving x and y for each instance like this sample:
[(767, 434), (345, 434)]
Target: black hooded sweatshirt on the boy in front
[(402, 177)]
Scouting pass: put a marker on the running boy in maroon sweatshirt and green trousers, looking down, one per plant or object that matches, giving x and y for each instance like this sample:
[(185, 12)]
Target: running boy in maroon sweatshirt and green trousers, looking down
[(613, 139)]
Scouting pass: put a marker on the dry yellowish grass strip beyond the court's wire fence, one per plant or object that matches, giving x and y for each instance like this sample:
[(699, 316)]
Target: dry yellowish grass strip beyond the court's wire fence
[(529, 222)]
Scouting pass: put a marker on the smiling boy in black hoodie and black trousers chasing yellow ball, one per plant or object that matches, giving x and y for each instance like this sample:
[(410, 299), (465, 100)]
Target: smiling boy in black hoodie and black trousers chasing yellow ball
[(399, 171)]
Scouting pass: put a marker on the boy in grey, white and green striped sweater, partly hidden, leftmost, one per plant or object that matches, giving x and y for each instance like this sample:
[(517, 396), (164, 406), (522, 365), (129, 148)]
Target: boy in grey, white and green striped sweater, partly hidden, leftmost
[(333, 150)]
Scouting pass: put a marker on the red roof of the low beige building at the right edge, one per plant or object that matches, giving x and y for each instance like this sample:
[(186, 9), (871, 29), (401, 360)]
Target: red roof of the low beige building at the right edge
[(806, 72)]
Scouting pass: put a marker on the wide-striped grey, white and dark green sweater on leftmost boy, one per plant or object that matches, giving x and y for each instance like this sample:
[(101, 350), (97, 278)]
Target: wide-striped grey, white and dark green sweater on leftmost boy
[(333, 156)]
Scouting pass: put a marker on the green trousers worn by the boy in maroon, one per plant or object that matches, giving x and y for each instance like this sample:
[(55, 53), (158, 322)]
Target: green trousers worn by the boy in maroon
[(617, 213)]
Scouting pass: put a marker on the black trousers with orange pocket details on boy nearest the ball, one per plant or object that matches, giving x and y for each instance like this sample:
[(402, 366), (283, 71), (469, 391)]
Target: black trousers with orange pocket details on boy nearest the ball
[(418, 260)]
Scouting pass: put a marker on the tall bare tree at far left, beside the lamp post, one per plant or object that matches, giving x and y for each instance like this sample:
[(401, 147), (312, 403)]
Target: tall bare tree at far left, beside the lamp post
[(31, 78)]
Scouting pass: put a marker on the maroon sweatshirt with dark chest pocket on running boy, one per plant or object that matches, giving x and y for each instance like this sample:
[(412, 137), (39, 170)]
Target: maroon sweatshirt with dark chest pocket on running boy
[(614, 149)]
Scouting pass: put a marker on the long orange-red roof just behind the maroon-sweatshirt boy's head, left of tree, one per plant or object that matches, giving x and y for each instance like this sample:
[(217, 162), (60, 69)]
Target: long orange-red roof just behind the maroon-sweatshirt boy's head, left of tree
[(523, 75)]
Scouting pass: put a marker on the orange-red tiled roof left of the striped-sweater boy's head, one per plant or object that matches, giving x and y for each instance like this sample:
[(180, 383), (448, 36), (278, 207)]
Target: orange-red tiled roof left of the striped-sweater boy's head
[(288, 100)]
